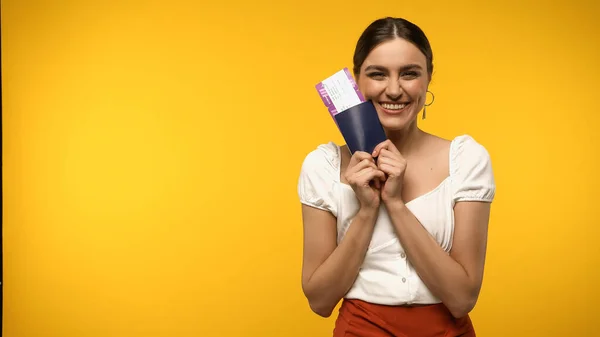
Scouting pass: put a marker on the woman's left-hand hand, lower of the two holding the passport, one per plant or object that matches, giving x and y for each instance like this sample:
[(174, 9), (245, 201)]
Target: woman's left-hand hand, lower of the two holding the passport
[(365, 179)]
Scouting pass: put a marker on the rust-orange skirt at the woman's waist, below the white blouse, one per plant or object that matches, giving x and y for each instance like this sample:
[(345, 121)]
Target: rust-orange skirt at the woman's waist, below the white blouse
[(361, 319)]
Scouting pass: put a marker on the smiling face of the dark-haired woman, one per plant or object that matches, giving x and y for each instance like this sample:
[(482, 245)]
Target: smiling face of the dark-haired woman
[(394, 76)]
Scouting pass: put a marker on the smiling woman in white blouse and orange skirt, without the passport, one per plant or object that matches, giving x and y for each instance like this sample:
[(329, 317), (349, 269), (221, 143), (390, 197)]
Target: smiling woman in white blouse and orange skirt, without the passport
[(401, 239)]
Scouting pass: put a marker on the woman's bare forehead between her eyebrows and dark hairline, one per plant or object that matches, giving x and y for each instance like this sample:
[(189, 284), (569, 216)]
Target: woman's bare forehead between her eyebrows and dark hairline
[(395, 53)]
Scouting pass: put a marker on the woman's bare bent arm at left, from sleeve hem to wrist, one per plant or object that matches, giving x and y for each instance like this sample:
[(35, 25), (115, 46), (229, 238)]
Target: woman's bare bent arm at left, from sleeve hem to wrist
[(328, 269)]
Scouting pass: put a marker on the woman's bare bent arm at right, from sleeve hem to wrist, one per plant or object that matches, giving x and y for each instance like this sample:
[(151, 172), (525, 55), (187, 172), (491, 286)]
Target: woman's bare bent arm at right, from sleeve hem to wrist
[(455, 278)]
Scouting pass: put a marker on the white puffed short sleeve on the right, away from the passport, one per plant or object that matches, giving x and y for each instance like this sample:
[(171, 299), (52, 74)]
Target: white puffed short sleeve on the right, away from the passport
[(471, 171)]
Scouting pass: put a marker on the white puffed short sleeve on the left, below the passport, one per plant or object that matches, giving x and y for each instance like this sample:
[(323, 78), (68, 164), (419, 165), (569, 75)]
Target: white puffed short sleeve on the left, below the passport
[(317, 181)]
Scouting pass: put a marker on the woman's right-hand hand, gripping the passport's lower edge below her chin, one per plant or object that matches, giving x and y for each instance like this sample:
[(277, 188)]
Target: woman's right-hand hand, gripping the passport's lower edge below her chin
[(391, 162)]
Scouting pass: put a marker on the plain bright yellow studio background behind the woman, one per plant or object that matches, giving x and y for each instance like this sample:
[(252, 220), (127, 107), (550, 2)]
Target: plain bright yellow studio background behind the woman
[(151, 152)]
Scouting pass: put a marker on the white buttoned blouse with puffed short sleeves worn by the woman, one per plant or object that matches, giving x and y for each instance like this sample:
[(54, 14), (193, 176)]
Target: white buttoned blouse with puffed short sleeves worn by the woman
[(386, 276)]
